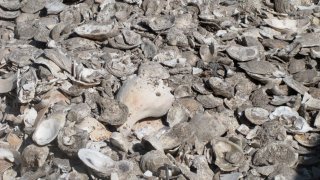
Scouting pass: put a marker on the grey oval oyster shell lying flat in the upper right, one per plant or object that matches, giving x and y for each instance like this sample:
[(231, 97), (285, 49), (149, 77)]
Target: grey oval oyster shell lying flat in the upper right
[(241, 53)]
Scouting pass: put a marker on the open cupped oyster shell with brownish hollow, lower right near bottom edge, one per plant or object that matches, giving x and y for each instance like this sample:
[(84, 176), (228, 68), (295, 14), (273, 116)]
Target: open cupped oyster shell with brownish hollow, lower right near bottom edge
[(229, 156)]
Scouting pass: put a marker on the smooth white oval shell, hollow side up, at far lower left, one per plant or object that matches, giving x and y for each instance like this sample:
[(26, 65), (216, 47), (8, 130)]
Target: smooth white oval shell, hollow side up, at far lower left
[(48, 129)]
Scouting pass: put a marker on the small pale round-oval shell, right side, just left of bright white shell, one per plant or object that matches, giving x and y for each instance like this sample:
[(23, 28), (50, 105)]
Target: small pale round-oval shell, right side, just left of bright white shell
[(257, 115)]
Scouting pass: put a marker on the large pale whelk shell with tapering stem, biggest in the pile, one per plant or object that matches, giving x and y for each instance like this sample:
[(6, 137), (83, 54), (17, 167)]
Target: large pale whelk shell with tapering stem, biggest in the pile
[(144, 97)]
